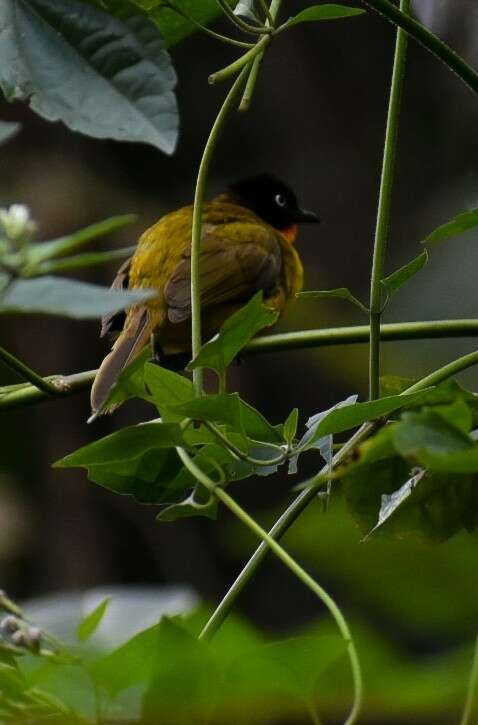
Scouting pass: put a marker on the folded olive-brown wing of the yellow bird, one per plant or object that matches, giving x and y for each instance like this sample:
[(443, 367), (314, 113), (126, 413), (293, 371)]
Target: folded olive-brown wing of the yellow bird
[(230, 272)]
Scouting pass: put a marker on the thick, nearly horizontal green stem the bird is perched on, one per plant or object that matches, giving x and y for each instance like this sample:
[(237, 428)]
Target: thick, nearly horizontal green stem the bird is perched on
[(17, 396)]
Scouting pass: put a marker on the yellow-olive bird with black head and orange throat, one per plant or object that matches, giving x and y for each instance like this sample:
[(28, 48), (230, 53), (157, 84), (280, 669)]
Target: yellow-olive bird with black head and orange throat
[(247, 241)]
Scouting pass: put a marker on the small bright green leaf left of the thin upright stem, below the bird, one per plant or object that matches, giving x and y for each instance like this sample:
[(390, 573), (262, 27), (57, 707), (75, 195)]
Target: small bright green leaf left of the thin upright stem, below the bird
[(167, 389)]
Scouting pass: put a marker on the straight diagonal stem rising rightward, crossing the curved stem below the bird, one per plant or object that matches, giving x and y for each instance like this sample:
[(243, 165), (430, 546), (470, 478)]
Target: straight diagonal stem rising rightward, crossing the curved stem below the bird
[(305, 497)]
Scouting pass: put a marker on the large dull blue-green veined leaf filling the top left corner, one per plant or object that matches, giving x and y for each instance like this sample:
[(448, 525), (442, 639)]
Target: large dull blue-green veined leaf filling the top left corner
[(102, 76)]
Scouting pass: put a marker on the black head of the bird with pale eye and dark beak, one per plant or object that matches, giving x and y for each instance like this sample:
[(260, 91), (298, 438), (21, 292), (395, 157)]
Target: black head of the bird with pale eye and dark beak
[(272, 200)]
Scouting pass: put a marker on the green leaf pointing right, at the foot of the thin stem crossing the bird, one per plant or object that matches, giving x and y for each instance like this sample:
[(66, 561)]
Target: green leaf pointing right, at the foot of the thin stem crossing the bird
[(233, 412)]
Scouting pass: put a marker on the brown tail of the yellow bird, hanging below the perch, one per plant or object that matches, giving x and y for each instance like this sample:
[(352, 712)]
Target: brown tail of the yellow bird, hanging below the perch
[(130, 343)]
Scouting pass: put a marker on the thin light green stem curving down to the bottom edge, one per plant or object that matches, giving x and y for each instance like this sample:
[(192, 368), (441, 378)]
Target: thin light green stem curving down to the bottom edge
[(295, 568)]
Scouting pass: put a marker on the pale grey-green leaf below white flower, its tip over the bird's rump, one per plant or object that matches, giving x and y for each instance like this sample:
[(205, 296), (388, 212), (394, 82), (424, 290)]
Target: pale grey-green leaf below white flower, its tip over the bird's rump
[(67, 297)]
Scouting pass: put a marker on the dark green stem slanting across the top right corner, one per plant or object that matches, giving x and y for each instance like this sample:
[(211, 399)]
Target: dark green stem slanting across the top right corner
[(428, 39)]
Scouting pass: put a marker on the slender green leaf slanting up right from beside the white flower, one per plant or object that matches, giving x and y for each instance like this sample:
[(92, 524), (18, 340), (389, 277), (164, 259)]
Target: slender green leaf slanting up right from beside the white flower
[(46, 251)]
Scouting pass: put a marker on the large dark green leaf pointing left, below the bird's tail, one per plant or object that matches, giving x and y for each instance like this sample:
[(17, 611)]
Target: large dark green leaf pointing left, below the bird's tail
[(139, 461)]
